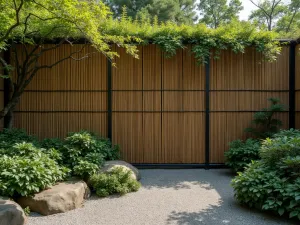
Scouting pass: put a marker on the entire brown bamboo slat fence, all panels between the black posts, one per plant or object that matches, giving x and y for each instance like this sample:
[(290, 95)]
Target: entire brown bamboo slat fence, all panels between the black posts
[(158, 103)]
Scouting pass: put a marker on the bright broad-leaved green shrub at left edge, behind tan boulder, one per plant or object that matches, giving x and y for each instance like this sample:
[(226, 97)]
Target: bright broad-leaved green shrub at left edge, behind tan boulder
[(28, 171)]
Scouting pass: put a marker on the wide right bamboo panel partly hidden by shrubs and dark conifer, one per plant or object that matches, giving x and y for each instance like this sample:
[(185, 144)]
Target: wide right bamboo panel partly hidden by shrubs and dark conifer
[(239, 85)]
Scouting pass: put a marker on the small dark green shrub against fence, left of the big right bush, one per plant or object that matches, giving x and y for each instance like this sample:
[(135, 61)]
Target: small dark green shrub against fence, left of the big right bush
[(241, 153)]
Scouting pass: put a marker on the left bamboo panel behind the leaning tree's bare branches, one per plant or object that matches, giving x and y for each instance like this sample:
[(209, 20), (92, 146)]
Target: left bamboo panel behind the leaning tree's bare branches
[(67, 98)]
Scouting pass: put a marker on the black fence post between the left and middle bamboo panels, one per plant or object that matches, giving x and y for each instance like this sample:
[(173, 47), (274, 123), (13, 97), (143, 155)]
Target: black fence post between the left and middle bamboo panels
[(109, 99)]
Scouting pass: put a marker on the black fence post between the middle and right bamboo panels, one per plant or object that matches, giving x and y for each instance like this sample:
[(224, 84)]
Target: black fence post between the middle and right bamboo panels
[(207, 123)]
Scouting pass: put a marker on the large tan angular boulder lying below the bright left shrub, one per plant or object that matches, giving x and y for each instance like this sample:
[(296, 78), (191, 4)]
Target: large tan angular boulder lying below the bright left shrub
[(58, 199)]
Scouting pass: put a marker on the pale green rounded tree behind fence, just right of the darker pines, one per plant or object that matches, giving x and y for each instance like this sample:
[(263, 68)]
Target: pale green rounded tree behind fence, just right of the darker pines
[(217, 12)]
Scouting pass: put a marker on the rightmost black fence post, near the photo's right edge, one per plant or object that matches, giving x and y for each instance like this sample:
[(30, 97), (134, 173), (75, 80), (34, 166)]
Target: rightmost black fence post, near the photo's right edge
[(292, 79)]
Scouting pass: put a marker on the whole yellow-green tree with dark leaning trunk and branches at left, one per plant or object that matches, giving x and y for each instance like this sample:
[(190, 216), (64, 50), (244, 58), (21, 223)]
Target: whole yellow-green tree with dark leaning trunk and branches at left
[(27, 25)]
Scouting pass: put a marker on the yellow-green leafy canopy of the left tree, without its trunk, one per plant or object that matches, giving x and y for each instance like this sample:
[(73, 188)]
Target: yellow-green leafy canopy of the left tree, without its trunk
[(30, 21)]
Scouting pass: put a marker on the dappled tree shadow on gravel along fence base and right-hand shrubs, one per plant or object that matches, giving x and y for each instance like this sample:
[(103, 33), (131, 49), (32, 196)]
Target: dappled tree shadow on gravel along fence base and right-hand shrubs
[(228, 211)]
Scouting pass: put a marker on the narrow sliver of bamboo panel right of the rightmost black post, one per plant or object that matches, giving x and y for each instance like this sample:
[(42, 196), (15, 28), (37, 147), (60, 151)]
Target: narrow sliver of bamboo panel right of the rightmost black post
[(297, 86)]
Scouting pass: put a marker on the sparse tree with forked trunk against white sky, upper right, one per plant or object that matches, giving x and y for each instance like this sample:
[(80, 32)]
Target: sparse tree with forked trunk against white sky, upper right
[(268, 12)]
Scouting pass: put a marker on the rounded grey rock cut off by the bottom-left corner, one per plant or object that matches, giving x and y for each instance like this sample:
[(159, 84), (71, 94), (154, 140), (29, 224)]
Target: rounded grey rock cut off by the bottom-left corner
[(11, 213)]
